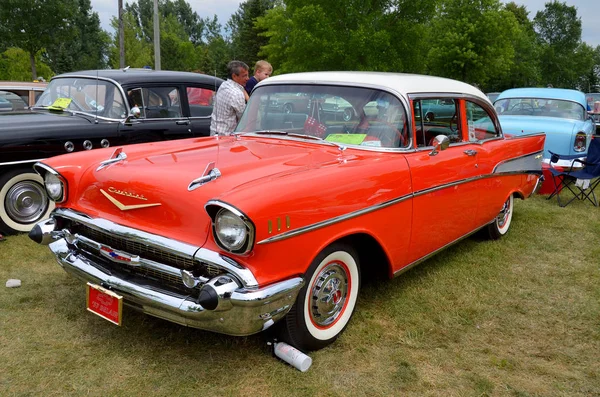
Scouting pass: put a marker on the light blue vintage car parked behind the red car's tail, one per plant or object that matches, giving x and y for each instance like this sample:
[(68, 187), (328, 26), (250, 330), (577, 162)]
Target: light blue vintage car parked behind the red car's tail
[(560, 113)]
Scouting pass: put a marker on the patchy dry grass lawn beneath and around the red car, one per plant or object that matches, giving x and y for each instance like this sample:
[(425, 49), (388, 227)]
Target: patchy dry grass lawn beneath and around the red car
[(514, 317)]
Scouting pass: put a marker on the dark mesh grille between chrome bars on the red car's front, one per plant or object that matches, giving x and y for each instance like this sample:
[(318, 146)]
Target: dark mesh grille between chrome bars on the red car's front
[(135, 248)]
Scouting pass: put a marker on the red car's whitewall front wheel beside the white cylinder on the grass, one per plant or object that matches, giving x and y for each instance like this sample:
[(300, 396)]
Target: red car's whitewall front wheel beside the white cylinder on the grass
[(326, 303)]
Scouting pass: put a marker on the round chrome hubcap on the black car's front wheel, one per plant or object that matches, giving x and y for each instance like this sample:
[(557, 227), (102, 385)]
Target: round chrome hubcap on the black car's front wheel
[(26, 202)]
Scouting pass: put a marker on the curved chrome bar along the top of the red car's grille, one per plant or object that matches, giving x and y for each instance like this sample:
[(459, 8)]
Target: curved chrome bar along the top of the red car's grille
[(162, 243)]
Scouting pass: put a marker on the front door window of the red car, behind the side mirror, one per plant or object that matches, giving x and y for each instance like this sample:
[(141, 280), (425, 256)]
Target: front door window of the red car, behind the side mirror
[(437, 116)]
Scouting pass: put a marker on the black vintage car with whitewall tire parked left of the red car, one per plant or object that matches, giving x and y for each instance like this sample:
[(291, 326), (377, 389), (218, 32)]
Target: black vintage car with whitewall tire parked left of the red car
[(93, 109)]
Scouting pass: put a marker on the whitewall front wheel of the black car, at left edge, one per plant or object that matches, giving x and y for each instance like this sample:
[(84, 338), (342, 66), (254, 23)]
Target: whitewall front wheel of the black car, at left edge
[(23, 201)]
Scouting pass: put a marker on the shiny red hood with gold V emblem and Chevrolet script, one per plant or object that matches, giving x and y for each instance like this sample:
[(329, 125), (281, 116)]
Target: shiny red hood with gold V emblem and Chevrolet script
[(149, 190)]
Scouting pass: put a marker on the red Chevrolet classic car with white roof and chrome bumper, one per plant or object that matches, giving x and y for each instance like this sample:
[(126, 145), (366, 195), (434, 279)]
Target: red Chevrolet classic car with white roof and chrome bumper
[(277, 223)]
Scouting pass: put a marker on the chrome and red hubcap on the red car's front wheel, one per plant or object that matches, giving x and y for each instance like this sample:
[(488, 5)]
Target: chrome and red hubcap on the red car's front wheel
[(329, 295)]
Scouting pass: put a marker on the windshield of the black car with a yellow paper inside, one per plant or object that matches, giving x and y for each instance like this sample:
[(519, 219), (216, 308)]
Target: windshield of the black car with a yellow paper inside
[(97, 97)]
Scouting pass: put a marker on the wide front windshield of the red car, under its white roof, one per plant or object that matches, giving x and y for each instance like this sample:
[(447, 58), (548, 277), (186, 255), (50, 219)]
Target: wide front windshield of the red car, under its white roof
[(347, 115)]
